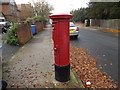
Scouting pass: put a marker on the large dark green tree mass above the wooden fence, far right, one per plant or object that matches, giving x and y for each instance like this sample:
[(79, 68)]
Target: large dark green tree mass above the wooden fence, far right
[(103, 10)]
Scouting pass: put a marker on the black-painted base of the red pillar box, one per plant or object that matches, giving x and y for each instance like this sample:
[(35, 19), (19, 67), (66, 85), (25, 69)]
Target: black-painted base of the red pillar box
[(62, 73)]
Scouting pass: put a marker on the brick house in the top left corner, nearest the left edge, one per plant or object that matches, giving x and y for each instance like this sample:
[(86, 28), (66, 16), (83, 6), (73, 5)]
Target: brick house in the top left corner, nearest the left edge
[(9, 10)]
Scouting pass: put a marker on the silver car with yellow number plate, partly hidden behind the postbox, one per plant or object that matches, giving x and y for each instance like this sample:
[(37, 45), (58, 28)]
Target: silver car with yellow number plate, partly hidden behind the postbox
[(74, 30)]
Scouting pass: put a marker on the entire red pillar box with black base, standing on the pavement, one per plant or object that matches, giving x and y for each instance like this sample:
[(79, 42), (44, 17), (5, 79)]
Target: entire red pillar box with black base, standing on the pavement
[(60, 35)]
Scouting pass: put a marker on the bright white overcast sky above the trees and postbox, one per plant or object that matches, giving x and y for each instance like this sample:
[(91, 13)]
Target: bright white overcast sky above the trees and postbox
[(61, 6)]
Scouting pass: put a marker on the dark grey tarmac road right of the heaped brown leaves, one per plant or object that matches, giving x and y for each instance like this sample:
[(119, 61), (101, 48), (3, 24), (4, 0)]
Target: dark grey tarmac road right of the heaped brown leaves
[(102, 45)]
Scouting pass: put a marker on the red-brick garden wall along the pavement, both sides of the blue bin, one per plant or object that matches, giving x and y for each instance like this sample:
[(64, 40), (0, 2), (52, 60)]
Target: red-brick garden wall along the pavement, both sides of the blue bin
[(25, 33)]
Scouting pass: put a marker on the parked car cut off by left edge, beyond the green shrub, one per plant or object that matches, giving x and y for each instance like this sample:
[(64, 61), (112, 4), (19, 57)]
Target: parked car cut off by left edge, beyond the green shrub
[(4, 25)]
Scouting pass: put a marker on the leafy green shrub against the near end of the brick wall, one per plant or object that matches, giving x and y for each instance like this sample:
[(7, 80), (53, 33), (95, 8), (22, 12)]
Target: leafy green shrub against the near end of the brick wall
[(12, 35)]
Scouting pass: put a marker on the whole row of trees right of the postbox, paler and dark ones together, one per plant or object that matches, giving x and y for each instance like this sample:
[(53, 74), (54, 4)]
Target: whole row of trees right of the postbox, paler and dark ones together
[(97, 10)]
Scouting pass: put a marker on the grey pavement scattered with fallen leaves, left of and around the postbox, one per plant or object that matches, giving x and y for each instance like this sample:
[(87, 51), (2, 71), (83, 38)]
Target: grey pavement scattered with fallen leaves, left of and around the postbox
[(32, 66)]
